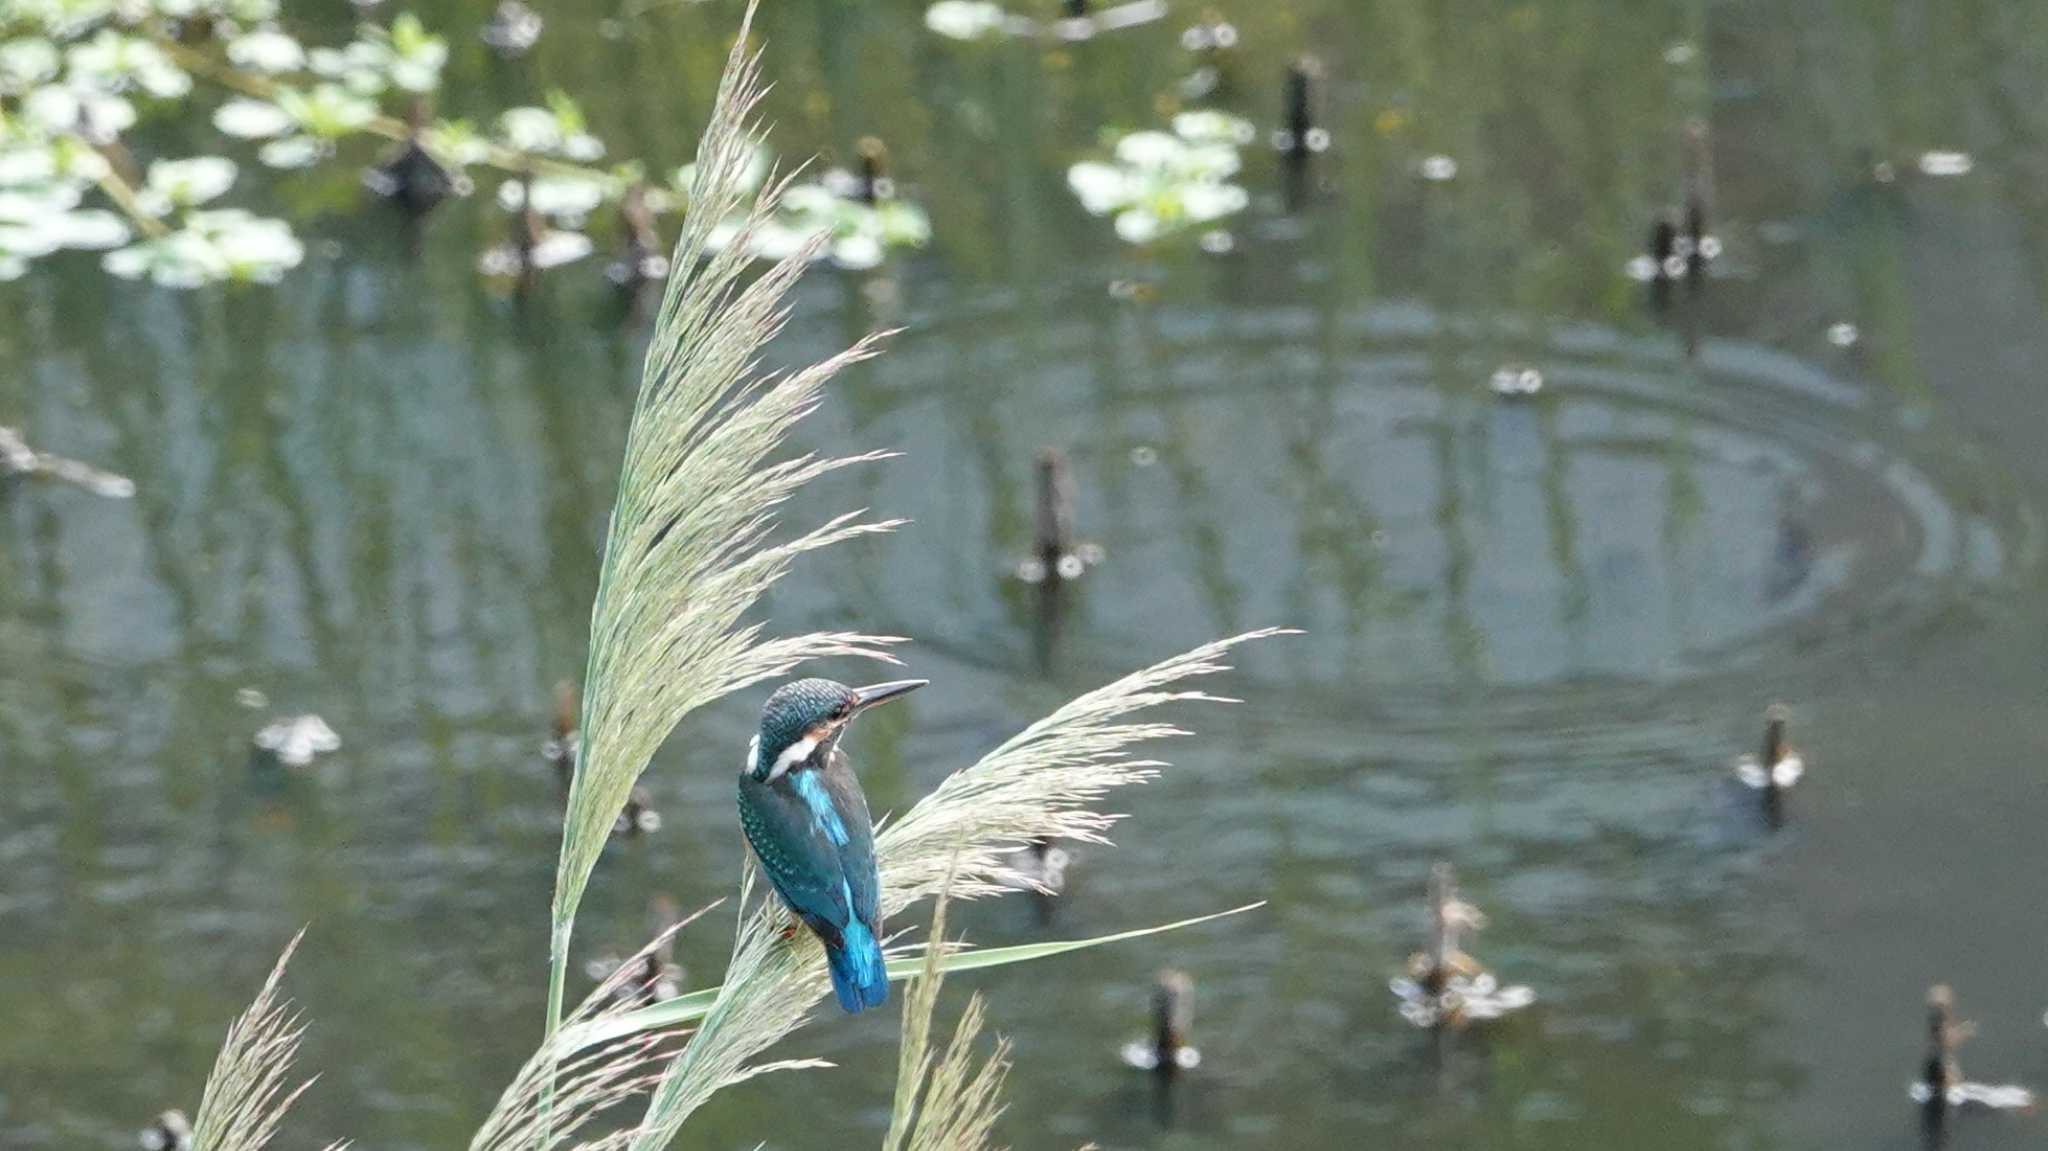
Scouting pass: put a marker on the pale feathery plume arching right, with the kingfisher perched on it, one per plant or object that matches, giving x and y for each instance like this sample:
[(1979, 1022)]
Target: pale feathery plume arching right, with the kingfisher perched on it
[(1039, 783)]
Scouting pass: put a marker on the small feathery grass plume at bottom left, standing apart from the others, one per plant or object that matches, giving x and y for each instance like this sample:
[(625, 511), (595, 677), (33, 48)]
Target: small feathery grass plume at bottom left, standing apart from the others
[(247, 1093)]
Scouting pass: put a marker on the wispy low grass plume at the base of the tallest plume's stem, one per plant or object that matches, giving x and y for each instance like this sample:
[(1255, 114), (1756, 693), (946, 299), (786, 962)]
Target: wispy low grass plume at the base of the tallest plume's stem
[(552, 1099)]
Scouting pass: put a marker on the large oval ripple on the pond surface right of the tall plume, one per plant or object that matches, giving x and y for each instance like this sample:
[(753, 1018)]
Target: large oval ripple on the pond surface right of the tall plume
[(1648, 521)]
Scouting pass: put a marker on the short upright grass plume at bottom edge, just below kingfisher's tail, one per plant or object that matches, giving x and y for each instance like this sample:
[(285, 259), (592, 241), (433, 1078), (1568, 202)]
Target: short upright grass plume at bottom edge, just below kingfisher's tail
[(951, 1105)]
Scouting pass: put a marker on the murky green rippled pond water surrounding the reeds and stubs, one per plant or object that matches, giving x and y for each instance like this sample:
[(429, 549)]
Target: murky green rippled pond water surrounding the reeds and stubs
[(1537, 632)]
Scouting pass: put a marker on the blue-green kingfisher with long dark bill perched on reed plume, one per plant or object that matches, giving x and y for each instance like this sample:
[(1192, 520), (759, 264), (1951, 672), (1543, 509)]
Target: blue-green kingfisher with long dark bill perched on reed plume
[(808, 822)]
